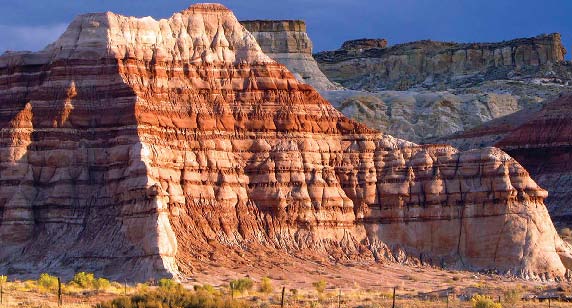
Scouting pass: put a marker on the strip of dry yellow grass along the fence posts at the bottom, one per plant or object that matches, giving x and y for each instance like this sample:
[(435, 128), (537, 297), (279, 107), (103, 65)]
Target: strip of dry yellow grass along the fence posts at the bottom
[(23, 294)]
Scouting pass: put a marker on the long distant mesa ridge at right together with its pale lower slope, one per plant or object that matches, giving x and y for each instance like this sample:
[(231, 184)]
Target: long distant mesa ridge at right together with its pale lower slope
[(445, 97)]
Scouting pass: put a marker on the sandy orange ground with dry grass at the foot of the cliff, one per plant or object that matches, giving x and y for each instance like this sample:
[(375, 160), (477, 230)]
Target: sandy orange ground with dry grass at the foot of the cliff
[(351, 284)]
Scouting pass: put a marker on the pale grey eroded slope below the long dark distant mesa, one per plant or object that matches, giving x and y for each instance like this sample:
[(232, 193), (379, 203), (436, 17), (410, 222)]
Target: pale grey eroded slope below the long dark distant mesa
[(423, 115)]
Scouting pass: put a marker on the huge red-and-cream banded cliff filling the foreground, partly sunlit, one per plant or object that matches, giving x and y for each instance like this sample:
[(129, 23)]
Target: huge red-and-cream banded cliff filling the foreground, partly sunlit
[(141, 148)]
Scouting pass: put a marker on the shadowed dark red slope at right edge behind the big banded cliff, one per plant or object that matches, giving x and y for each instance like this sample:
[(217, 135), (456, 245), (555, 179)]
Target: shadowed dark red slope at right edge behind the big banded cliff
[(540, 139)]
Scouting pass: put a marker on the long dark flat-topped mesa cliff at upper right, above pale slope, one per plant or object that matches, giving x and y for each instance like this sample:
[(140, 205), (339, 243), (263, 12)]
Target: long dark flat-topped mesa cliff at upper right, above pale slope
[(435, 64)]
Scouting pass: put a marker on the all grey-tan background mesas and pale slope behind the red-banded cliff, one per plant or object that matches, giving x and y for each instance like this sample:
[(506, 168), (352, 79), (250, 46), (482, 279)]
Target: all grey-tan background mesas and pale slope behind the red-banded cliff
[(451, 99)]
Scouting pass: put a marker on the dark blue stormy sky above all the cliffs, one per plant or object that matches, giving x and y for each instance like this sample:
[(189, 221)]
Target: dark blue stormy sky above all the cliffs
[(32, 24)]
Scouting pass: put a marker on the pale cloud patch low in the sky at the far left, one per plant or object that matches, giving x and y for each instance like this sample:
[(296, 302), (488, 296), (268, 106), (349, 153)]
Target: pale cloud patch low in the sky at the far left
[(16, 38)]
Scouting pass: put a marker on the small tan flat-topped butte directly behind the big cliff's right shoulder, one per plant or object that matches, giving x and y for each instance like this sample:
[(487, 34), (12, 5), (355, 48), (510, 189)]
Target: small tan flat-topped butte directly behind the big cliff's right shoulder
[(287, 42)]
